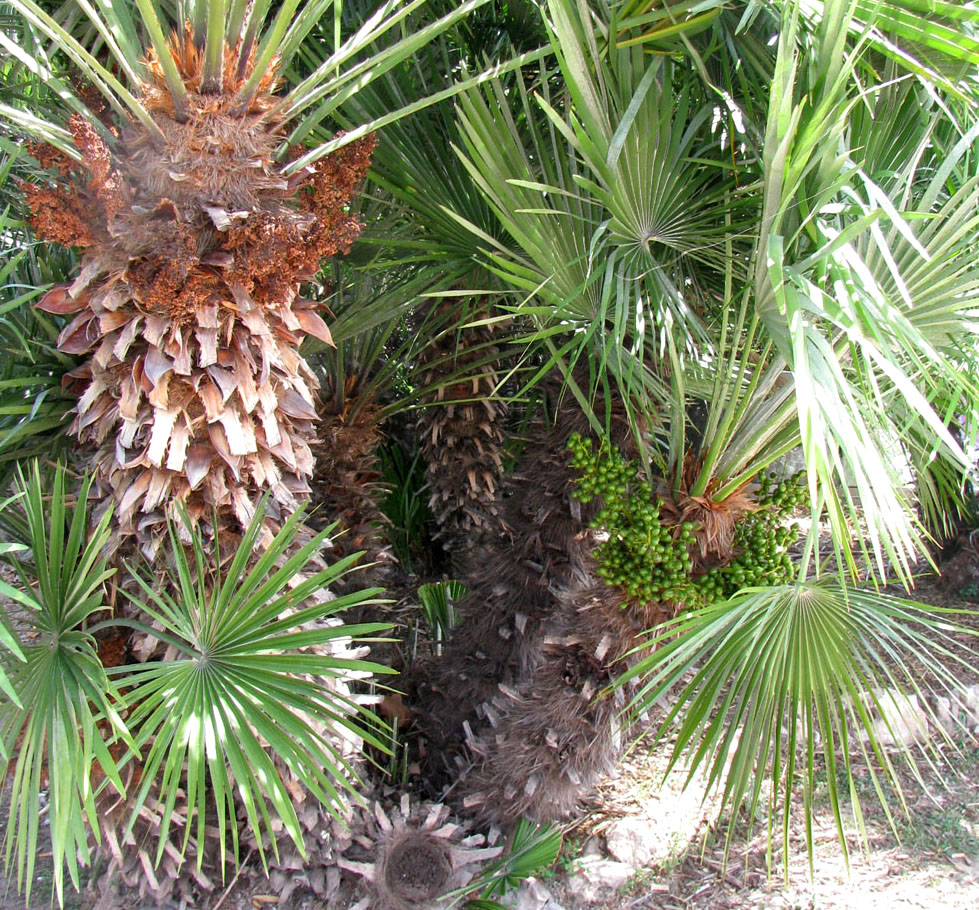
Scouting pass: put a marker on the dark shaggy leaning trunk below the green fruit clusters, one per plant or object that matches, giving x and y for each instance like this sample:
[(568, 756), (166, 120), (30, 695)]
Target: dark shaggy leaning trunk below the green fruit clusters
[(510, 706)]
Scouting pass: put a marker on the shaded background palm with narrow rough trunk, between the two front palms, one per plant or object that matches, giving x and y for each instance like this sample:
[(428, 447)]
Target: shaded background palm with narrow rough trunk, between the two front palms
[(418, 192)]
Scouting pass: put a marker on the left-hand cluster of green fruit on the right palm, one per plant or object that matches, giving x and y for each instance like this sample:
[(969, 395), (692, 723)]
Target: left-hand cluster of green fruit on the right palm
[(649, 561)]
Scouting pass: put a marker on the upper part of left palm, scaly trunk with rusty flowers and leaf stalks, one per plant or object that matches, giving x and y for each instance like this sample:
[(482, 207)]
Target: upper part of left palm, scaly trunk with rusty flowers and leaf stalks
[(186, 182)]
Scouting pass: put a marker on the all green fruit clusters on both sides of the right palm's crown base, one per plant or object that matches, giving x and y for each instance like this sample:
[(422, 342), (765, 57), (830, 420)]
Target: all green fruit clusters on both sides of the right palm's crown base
[(653, 562)]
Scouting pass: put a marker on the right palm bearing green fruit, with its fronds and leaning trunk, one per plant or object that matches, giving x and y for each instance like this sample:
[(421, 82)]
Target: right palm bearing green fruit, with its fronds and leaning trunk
[(762, 235)]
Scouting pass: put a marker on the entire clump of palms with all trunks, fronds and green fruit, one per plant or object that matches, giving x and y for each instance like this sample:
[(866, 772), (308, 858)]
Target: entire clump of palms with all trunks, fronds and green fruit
[(710, 238)]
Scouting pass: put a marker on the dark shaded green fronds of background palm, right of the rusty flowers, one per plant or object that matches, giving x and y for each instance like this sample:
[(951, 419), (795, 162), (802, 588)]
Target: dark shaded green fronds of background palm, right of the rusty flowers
[(419, 252)]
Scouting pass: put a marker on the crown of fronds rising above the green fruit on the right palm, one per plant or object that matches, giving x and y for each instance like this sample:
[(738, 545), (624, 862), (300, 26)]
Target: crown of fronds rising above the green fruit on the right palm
[(749, 248)]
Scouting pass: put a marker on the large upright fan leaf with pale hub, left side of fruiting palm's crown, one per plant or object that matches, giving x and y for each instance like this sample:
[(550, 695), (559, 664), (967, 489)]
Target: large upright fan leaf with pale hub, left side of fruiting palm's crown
[(611, 207)]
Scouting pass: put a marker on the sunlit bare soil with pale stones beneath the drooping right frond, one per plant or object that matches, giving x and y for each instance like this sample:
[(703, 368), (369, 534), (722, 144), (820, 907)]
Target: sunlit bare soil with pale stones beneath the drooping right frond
[(935, 864)]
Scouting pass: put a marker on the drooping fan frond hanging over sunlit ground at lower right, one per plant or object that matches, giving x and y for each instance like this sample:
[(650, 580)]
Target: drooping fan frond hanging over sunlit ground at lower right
[(798, 685)]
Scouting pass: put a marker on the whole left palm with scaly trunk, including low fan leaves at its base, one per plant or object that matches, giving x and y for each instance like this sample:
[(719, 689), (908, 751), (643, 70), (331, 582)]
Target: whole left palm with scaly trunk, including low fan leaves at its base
[(190, 187)]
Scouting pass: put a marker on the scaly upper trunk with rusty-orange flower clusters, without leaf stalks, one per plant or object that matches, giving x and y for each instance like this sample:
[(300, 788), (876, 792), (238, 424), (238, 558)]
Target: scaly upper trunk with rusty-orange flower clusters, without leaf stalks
[(188, 300)]
